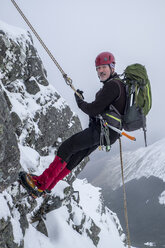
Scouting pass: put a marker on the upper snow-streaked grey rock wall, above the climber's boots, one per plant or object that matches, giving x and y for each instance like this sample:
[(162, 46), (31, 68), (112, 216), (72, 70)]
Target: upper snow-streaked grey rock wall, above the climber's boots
[(32, 113)]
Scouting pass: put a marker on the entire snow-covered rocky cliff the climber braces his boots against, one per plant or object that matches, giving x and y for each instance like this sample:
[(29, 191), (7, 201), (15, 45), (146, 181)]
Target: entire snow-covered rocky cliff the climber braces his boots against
[(34, 120)]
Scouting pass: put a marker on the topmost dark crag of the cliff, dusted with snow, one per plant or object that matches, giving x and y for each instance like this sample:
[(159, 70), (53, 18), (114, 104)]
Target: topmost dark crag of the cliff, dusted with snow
[(25, 58)]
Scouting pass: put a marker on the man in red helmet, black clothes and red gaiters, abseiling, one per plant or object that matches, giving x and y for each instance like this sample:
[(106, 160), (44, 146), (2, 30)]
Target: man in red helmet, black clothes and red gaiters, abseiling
[(74, 149)]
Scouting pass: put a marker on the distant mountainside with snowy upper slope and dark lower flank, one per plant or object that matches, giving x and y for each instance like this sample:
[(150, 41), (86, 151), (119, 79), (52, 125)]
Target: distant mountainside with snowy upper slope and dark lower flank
[(144, 172)]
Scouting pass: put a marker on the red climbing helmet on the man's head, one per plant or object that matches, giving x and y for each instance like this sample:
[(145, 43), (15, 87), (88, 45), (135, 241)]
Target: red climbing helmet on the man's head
[(105, 58)]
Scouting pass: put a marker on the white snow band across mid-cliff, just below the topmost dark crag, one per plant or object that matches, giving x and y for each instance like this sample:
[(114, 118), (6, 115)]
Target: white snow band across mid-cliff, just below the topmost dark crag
[(26, 106)]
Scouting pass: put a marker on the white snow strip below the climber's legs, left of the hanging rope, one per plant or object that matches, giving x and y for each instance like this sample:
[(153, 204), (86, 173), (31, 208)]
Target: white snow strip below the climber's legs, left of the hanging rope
[(91, 204)]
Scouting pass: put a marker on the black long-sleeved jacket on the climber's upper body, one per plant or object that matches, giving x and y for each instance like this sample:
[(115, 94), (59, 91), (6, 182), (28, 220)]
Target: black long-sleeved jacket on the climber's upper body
[(112, 92)]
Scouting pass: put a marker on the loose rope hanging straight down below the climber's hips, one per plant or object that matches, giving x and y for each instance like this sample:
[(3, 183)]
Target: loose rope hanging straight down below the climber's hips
[(125, 198)]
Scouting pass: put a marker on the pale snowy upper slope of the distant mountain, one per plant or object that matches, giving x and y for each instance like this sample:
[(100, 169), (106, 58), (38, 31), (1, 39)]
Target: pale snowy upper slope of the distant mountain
[(144, 162)]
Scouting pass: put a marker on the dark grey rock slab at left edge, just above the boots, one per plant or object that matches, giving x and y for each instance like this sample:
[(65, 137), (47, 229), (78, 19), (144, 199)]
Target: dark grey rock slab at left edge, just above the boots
[(9, 152)]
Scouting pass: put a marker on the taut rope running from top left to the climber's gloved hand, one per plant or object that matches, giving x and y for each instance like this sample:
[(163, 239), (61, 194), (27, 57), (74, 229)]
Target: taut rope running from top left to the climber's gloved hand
[(66, 78)]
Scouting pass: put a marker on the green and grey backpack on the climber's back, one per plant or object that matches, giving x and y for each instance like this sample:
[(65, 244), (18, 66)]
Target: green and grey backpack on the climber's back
[(139, 98)]
